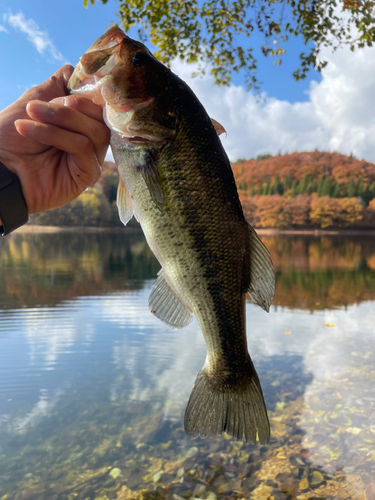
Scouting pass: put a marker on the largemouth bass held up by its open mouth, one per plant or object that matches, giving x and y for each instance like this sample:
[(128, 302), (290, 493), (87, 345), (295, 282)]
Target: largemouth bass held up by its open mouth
[(177, 181)]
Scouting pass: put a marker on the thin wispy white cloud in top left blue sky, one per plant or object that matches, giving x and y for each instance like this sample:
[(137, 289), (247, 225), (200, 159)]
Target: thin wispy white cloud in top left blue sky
[(35, 35)]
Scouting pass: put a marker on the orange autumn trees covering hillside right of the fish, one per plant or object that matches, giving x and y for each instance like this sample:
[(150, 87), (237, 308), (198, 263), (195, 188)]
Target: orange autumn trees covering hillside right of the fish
[(302, 190)]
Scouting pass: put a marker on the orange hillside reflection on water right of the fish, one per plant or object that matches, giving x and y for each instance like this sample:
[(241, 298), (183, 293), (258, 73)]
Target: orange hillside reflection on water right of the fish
[(318, 273)]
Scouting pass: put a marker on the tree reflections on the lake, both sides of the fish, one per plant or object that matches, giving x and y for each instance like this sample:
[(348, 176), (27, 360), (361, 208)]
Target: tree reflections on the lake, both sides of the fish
[(47, 268)]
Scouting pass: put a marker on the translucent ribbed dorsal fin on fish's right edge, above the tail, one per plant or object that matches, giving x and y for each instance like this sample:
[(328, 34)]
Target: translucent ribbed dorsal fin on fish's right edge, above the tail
[(262, 274)]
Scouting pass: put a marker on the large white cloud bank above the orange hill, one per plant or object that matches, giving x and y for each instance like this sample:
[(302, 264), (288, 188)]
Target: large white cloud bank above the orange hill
[(339, 115)]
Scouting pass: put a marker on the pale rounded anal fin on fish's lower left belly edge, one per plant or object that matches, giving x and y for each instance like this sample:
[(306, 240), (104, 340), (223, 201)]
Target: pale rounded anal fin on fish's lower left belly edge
[(165, 304)]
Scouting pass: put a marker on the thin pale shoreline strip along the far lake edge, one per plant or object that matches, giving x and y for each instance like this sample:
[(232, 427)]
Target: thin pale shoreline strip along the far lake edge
[(33, 229)]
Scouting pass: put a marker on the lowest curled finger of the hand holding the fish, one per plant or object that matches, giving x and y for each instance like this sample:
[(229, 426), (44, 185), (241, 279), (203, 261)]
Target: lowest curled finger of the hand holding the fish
[(81, 148)]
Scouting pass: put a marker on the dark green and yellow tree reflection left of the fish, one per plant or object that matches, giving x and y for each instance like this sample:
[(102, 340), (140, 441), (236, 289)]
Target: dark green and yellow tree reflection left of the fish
[(45, 269)]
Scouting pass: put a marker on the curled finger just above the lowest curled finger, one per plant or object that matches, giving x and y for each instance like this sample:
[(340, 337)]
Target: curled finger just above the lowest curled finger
[(72, 120)]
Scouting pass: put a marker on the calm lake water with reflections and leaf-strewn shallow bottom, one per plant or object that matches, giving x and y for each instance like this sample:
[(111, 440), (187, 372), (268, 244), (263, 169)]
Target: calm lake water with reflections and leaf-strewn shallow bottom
[(93, 387)]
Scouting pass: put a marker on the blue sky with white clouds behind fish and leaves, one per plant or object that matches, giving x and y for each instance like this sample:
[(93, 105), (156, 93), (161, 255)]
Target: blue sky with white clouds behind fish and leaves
[(332, 111)]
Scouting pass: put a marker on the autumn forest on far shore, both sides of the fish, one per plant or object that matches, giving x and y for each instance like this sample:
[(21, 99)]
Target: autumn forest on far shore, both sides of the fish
[(299, 190)]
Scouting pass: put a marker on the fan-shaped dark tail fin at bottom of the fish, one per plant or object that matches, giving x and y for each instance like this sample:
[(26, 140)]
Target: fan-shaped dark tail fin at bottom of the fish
[(231, 404)]
